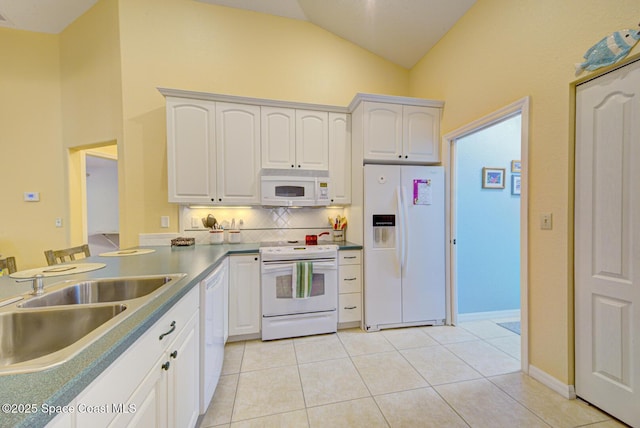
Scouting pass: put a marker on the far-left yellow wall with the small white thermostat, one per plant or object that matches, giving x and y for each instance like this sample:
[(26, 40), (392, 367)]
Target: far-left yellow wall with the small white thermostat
[(31, 155)]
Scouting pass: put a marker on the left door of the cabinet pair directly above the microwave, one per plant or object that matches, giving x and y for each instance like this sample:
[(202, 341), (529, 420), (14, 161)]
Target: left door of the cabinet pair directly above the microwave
[(278, 137)]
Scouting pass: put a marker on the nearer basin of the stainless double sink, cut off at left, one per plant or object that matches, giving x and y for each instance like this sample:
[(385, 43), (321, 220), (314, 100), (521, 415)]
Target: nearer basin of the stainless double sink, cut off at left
[(25, 335)]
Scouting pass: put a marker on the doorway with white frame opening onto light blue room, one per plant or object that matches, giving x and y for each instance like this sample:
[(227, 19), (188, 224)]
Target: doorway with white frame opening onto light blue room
[(487, 222)]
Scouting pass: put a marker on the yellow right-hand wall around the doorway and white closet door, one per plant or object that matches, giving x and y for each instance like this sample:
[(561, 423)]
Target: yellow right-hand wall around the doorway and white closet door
[(501, 51)]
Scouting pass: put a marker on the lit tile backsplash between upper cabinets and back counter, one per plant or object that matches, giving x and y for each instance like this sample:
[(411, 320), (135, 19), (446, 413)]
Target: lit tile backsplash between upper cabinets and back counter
[(260, 223)]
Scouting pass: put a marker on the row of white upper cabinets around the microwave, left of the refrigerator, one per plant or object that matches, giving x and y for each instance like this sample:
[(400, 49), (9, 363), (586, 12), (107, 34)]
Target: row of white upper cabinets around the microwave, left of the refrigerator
[(217, 145)]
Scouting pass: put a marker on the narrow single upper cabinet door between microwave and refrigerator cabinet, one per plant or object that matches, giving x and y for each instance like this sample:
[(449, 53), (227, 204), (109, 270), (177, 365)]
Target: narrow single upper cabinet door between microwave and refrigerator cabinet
[(340, 158)]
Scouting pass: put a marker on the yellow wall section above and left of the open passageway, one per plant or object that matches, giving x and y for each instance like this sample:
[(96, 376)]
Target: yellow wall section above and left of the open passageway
[(91, 99)]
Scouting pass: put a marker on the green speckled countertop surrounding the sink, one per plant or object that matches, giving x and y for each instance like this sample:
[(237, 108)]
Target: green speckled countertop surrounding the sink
[(59, 385)]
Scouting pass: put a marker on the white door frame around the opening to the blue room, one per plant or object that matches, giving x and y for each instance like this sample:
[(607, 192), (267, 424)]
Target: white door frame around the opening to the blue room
[(449, 159)]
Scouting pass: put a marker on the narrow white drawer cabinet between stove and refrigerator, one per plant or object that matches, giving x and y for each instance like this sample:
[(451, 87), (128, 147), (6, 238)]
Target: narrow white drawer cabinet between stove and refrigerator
[(349, 286)]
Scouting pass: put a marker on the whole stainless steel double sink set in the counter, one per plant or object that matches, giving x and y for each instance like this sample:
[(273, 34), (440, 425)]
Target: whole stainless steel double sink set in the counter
[(42, 331)]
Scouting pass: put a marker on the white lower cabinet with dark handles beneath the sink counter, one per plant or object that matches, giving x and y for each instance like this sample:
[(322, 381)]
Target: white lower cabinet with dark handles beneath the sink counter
[(155, 383)]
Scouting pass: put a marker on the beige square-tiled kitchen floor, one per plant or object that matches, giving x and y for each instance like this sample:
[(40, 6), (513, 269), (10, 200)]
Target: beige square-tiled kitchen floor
[(466, 376)]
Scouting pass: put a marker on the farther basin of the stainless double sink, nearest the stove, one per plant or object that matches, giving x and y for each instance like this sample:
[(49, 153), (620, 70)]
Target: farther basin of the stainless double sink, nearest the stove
[(101, 291)]
